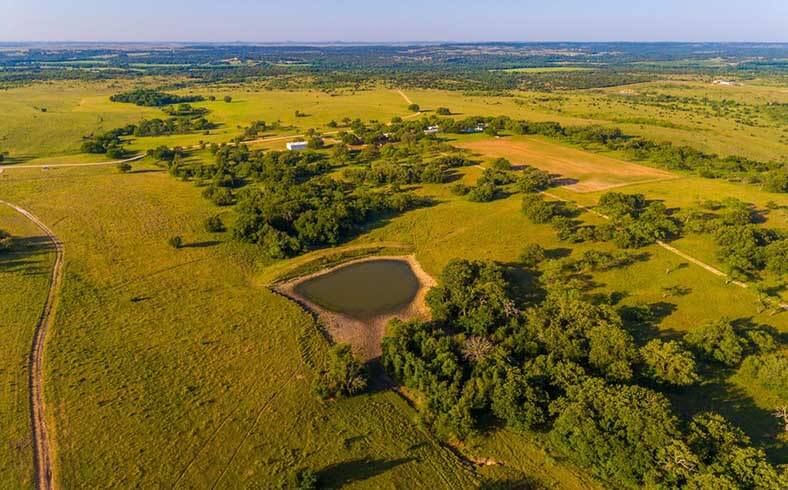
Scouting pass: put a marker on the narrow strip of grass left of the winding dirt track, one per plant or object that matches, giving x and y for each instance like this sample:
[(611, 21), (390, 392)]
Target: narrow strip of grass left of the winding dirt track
[(24, 277)]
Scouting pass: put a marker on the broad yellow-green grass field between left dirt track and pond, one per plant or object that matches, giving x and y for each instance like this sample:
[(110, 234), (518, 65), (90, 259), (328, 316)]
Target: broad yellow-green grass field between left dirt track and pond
[(174, 367)]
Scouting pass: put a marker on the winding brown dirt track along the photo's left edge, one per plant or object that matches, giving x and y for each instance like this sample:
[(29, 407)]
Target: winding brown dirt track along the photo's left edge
[(41, 447)]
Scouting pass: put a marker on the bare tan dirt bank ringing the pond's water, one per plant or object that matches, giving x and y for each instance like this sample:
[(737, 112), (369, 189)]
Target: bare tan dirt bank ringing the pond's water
[(365, 336)]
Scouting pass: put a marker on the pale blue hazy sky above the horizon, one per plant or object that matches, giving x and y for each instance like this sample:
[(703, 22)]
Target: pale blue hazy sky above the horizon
[(393, 20)]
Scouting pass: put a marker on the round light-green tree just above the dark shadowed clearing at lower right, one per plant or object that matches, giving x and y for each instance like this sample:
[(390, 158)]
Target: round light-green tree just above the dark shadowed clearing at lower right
[(667, 362)]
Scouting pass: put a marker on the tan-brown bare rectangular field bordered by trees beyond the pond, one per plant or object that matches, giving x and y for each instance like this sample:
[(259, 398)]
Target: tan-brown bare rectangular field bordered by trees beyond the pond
[(583, 171)]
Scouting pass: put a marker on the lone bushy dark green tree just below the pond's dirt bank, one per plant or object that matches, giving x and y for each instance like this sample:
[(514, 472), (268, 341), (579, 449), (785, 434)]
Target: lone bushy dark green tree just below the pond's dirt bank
[(345, 375)]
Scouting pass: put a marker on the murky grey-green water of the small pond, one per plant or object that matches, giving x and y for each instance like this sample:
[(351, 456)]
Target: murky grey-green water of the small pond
[(365, 289)]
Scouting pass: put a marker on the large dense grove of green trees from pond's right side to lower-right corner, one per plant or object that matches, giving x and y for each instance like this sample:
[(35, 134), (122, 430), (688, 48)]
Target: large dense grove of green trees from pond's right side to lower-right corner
[(569, 368)]
